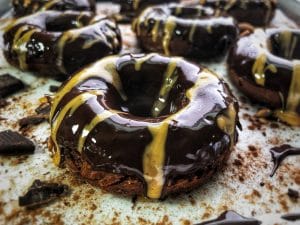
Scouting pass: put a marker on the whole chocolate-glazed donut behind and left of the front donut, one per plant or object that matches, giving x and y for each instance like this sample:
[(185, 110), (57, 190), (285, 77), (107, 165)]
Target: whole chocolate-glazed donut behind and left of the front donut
[(52, 43)]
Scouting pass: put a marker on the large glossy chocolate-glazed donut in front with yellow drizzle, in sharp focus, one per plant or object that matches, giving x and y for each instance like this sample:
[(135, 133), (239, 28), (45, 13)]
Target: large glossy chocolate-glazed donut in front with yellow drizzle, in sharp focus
[(144, 124)]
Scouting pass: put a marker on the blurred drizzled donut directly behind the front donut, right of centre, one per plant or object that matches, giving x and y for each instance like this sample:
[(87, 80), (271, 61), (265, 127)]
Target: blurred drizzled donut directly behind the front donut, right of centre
[(190, 31)]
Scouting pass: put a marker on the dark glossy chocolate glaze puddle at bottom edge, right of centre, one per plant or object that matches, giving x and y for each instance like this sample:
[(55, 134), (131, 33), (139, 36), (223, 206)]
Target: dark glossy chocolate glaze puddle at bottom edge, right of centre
[(231, 218)]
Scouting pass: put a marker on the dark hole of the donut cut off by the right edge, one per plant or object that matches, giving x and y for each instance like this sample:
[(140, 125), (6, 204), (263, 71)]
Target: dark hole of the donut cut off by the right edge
[(285, 44)]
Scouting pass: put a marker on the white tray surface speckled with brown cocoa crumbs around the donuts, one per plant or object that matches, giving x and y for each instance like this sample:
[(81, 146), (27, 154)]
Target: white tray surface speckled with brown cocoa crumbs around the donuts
[(246, 188)]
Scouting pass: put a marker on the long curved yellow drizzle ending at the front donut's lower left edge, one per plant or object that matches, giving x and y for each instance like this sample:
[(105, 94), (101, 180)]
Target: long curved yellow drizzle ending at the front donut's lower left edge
[(70, 108)]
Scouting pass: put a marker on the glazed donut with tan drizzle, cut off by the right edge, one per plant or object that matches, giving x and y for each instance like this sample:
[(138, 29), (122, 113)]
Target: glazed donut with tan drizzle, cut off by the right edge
[(265, 65)]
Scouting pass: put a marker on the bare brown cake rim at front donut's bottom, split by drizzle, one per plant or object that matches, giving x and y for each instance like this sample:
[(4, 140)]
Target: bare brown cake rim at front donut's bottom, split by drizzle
[(131, 186)]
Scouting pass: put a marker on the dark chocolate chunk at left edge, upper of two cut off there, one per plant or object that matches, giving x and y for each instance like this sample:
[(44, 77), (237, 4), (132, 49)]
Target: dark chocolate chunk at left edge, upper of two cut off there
[(9, 85)]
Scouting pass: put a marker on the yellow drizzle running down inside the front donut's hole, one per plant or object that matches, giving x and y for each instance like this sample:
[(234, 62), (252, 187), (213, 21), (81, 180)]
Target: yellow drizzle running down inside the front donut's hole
[(170, 78)]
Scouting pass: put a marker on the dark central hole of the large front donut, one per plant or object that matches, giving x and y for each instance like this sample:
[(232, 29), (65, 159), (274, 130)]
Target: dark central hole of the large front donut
[(143, 89)]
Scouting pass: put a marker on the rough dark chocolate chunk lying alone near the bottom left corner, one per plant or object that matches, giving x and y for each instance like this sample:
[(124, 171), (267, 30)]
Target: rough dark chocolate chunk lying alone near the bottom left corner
[(42, 192)]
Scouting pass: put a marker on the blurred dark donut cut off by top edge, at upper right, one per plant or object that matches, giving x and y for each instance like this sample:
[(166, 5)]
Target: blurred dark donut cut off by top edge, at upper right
[(255, 12)]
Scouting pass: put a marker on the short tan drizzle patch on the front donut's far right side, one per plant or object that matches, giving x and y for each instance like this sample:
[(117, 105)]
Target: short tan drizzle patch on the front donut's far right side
[(227, 123)]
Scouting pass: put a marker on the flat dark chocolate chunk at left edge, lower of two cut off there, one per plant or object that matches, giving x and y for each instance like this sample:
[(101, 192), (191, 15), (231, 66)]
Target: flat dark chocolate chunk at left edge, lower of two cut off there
[(13, 143)]
